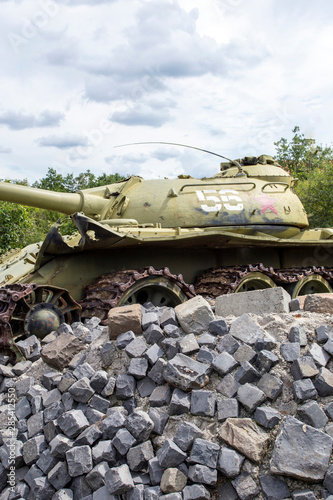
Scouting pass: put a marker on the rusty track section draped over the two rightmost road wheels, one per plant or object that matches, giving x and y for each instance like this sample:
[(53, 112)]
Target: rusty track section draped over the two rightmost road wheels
[(223, 280)]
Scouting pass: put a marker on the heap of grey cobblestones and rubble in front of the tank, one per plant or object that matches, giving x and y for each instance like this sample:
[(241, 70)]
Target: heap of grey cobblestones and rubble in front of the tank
[(178, 403)]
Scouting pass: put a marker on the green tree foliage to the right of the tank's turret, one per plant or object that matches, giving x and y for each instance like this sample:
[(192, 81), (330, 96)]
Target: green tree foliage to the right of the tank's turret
[(312, 164)]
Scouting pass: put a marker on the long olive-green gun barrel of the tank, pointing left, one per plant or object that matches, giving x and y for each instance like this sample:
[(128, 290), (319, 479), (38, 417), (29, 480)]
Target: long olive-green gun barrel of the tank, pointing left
[(66, 203)]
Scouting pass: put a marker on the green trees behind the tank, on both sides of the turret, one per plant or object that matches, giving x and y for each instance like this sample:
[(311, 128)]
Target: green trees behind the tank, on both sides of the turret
[(306, 160)]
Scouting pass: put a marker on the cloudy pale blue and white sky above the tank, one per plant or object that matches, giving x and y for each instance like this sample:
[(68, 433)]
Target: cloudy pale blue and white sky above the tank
[(79, 77)]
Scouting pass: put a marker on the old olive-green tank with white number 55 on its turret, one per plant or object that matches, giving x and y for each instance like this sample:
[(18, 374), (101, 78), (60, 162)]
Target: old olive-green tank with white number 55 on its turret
[(163, 241)]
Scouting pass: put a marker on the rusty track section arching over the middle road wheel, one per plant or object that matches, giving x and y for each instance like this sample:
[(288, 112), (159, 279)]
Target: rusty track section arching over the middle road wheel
[(107, 291)]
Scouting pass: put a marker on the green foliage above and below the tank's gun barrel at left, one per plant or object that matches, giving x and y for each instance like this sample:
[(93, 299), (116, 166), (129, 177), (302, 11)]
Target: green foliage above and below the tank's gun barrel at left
[(20, 226)]
